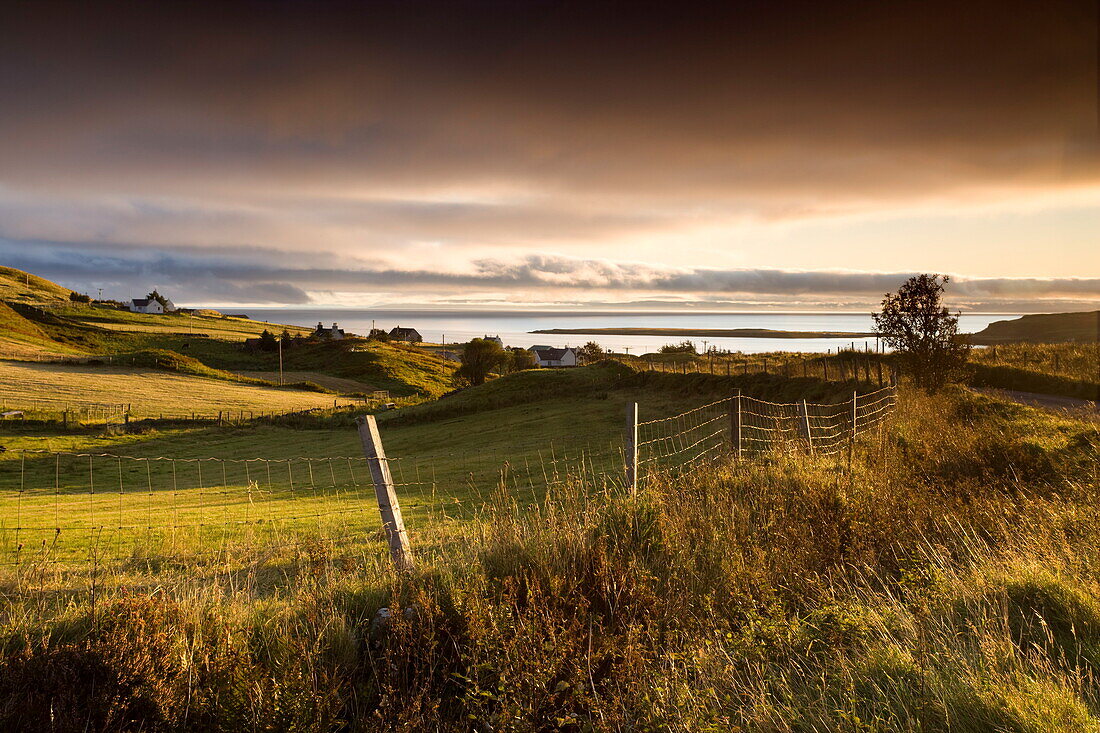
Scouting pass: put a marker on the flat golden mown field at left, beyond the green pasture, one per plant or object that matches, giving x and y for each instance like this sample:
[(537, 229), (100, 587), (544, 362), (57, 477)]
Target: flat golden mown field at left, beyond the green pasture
[(149, 391)]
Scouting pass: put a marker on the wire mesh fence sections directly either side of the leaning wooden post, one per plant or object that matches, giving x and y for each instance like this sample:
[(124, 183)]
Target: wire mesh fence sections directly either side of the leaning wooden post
[(126, 512)]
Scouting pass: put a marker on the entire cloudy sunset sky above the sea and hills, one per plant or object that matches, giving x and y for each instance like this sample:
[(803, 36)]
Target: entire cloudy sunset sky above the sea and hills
[(753, 156)]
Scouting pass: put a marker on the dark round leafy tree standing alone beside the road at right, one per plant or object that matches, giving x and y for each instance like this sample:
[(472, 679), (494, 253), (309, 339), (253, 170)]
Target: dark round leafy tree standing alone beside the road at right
[(925, 335)]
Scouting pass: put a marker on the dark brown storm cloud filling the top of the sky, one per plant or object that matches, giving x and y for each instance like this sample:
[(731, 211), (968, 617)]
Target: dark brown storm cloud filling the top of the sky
[(662, 100)]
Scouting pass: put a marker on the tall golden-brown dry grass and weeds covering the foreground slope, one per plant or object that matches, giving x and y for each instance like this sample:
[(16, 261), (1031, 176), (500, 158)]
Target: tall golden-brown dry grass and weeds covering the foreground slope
[(948, 579)]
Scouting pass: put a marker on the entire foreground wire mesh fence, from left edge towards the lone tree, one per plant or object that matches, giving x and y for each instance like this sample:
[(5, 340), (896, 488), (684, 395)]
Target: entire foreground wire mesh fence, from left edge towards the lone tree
[(124, 515)]
